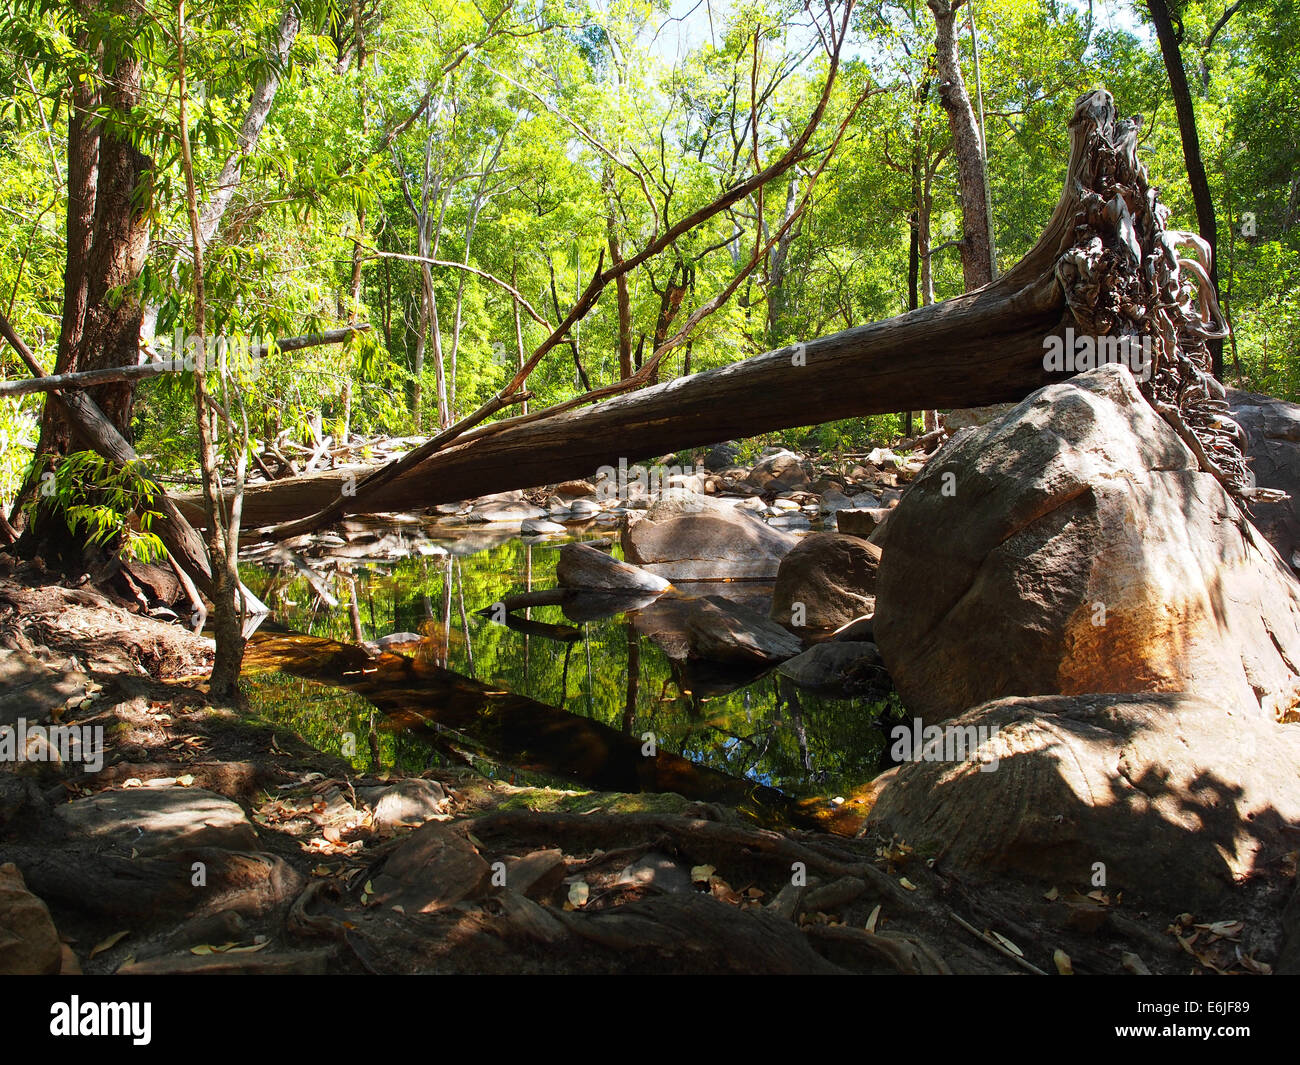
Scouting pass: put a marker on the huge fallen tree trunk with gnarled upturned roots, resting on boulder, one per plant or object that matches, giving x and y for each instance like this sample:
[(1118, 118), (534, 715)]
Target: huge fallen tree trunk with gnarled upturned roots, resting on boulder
[(1104, 267)]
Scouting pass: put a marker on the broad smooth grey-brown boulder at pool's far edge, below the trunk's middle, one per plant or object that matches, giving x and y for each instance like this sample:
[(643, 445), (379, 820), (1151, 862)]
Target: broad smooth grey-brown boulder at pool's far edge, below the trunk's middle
[(694, 538)]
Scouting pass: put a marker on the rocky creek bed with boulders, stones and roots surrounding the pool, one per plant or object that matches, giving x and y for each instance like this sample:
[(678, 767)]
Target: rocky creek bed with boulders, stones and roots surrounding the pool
[(1136, 807)]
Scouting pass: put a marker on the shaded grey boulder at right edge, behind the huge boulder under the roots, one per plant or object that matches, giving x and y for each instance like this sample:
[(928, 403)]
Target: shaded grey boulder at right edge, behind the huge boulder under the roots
[(1273, 434)]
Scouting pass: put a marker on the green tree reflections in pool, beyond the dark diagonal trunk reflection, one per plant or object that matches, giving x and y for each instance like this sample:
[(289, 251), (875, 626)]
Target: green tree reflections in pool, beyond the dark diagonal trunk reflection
[(768, 730)]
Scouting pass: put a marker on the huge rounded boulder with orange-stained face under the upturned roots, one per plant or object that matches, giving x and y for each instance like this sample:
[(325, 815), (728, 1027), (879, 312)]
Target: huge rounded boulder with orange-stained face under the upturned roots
[(1074, 547)]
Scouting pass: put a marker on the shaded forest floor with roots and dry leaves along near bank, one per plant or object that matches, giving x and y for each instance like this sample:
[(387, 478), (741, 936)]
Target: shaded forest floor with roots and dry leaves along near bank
[(219, 843)]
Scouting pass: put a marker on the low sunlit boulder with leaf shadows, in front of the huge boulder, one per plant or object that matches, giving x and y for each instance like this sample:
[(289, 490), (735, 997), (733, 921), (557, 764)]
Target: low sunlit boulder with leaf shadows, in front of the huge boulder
[(1178, 798)]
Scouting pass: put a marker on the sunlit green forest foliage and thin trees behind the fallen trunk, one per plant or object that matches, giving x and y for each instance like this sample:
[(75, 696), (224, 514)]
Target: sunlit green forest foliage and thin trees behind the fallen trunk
[(454, 175)]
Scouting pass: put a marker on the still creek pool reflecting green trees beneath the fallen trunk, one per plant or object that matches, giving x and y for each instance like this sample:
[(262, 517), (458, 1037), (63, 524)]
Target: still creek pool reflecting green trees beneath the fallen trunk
[(605, 686)]
